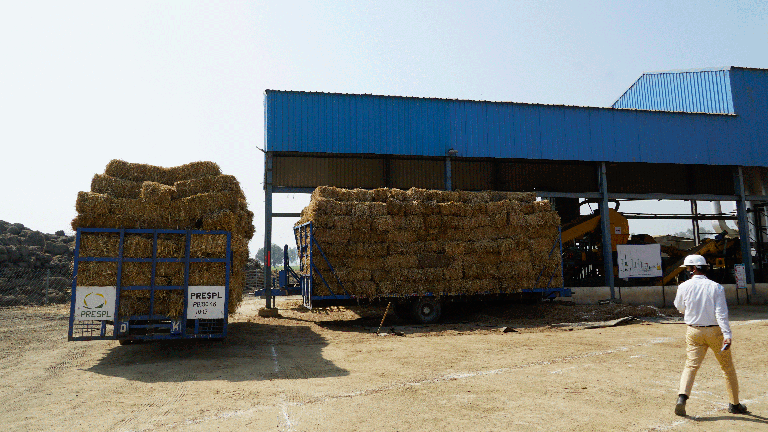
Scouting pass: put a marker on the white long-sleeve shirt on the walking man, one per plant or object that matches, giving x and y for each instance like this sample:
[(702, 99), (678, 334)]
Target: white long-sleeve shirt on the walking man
[(703, 303)]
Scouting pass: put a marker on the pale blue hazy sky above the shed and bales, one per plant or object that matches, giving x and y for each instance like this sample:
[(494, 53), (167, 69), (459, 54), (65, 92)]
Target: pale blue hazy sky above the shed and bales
[(171, 82)]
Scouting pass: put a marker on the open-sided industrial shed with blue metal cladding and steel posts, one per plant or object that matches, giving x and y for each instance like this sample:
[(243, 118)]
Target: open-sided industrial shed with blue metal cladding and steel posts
[(695, 135)]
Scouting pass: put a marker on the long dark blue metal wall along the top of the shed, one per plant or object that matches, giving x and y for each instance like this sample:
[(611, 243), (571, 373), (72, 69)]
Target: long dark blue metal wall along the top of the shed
[(342, 123)]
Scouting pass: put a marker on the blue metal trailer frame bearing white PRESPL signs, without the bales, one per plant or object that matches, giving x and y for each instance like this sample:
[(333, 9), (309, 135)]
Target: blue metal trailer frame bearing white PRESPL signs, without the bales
[(95, 311)]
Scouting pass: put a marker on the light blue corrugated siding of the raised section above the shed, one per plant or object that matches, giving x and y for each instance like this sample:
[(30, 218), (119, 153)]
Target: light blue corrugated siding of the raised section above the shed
[(707, 91)]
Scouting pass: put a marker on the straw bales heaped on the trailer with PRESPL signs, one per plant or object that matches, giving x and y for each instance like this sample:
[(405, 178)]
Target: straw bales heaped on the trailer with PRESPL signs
[(193, 196)]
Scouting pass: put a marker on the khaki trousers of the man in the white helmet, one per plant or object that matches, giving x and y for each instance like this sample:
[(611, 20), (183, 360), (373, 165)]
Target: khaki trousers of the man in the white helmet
[(698, 340)]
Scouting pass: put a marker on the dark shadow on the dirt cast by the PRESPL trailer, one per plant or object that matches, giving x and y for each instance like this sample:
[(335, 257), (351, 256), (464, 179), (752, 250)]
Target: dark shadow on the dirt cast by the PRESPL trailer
[(251, 351)]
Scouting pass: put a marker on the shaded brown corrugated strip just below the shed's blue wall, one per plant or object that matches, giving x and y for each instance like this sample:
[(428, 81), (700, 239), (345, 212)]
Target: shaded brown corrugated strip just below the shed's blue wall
[(292, 170)]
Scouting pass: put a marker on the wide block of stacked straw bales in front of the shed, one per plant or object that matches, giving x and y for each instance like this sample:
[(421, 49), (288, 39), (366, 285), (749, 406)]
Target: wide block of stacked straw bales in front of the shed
[(386, 242)]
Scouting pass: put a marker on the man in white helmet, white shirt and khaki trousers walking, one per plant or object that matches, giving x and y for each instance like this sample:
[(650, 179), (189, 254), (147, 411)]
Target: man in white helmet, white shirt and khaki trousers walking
[(706, 314)]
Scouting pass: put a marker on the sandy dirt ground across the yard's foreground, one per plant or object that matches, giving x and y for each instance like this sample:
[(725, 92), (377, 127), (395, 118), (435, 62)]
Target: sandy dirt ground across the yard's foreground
[(329, 370)]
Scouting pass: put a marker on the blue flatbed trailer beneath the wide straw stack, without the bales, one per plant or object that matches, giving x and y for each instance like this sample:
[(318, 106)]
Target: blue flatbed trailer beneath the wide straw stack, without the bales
[(425, 308)]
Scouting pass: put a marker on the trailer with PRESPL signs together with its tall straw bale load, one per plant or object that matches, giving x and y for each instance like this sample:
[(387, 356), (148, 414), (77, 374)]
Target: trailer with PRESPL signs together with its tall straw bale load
[(169, 244)]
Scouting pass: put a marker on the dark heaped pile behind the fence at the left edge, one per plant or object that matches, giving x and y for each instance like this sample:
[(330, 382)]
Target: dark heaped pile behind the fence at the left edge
[(35, 268)]
